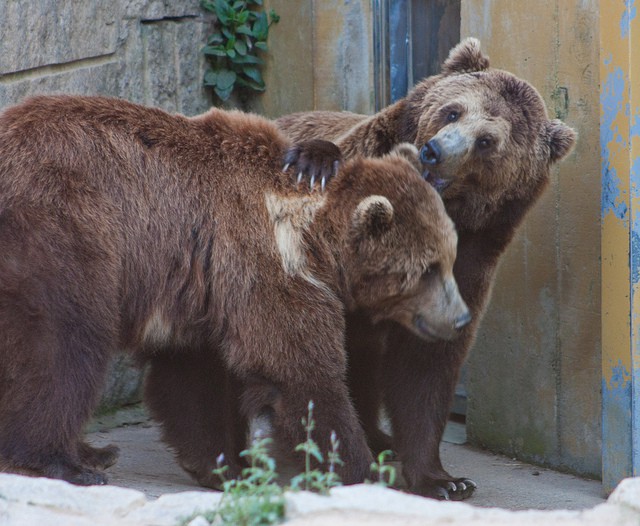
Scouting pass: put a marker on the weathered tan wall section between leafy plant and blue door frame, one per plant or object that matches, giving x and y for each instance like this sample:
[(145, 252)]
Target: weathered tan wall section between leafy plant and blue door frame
[(320, 57)]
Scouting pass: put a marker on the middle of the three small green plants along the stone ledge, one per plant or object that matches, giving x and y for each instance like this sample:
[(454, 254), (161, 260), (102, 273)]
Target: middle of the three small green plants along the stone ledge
[(315, 479)]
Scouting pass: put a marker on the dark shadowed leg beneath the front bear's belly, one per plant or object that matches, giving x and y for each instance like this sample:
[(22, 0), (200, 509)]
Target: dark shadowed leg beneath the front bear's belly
[(196, 401)]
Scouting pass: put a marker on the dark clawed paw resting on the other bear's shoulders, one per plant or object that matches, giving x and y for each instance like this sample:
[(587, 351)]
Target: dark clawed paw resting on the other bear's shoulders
[(316, 161)]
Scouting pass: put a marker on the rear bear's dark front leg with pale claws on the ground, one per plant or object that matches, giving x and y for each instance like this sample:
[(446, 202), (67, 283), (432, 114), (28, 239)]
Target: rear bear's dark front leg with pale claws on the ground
[(420, 380)]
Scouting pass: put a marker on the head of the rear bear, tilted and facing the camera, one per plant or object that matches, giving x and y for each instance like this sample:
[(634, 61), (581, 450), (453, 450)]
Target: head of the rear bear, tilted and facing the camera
[(484, 135)]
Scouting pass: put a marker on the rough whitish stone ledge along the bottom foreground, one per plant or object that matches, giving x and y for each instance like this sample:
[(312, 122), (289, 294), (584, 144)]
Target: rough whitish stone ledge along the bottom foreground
[(25, 500)]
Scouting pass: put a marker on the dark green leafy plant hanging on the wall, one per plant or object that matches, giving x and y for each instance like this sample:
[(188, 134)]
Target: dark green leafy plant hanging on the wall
[(241, 33)]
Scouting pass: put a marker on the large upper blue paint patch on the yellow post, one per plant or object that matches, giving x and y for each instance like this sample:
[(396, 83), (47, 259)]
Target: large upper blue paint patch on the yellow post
[(611, 101)]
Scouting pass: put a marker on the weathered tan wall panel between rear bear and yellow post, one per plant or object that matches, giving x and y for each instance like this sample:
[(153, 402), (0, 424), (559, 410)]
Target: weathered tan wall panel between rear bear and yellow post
[(534, 374)]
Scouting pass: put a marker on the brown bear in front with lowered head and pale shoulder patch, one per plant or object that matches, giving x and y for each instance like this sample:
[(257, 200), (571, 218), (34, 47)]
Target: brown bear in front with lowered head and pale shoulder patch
[(183, 241)]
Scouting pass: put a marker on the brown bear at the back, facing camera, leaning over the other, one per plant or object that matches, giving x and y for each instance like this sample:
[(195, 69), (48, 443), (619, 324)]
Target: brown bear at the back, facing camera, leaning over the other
[(487, 144)]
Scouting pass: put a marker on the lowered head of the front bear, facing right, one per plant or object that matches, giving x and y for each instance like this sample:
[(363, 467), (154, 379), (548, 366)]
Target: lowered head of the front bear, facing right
[(399, 245)]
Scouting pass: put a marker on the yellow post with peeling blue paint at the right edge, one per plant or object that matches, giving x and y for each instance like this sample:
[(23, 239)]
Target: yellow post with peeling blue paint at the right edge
[(620, 152)]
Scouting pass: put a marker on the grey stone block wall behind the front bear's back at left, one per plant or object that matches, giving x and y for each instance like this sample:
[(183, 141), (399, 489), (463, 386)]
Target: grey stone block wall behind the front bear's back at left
[(147, 51)]
